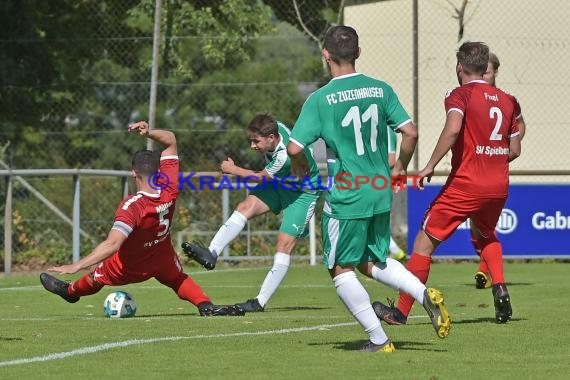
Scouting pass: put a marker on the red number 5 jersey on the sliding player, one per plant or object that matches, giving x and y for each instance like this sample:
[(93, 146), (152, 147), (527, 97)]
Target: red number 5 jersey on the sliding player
[(145, 218)]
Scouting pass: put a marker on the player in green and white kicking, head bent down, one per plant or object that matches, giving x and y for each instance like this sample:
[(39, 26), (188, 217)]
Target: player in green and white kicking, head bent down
[(277, 192)]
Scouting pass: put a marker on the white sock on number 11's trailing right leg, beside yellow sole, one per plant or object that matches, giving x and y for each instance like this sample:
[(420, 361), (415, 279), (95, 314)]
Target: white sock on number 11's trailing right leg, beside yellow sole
[(396, 276)]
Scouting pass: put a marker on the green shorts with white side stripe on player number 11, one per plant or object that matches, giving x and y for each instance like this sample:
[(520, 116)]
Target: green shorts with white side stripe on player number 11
[(355, 241)]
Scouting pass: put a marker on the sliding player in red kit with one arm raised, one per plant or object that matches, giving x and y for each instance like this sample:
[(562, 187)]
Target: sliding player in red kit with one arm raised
[(139, 245)]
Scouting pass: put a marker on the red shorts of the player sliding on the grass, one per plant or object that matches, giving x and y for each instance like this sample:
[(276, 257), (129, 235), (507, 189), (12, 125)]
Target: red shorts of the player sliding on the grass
[(166, 268)]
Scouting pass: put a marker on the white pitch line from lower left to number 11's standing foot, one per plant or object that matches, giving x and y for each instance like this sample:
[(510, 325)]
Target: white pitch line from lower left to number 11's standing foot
[(132, 342)]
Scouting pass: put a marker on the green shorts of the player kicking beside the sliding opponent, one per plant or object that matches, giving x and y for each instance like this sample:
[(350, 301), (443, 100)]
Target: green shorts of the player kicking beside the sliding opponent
[(297, 207)]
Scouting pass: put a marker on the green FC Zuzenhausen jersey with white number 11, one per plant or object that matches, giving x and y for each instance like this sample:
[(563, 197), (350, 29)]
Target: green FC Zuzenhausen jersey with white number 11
[(352, 114)]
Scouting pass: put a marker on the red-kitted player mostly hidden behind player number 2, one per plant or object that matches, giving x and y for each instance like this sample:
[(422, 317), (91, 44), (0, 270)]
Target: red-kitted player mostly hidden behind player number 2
[(483, 278)]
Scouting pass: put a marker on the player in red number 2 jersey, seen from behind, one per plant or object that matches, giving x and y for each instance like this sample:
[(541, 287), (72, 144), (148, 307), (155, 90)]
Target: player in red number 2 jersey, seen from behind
[(482, 132)]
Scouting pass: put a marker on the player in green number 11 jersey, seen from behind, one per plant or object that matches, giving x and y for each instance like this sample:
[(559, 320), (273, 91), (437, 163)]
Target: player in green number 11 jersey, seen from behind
[(352, 114)]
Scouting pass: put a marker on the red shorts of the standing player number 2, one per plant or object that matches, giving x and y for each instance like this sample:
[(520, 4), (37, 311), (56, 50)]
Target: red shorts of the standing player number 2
[(452, 207)]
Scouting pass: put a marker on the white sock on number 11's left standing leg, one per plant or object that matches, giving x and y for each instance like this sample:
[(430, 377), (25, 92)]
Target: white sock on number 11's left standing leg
[(357, 300)]
